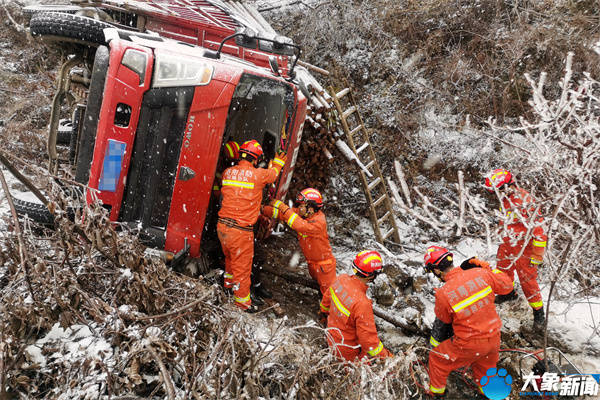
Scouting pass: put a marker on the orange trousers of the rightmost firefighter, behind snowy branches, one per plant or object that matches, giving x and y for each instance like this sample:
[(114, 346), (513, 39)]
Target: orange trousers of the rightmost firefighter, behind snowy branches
[(526, 271)]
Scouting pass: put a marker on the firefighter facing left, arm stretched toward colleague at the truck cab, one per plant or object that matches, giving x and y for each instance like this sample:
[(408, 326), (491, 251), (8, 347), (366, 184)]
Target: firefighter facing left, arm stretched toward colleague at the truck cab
[(308, 220)]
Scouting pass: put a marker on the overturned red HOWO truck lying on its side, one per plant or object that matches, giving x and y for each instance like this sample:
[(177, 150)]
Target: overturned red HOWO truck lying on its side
[(152, 90)]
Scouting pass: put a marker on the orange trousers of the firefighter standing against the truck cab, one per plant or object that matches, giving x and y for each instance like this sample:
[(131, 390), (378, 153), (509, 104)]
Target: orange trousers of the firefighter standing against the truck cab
[(238, 247)]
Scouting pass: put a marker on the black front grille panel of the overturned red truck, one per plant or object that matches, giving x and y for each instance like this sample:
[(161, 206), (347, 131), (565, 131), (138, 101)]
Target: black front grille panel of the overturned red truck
[(156, 150)]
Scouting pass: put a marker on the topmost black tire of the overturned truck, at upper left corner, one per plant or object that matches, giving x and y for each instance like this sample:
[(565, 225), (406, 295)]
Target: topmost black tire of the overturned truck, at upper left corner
[(73, 28)]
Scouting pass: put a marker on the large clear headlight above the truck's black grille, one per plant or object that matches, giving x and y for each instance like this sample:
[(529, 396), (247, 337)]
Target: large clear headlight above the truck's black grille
[(173, 70)]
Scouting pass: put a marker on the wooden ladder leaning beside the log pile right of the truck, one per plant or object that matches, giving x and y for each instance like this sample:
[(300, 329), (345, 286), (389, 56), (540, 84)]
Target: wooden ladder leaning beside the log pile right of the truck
[(376, 192)]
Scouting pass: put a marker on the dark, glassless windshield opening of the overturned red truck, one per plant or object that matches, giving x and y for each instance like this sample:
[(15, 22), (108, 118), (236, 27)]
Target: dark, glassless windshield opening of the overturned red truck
[(261, 109)]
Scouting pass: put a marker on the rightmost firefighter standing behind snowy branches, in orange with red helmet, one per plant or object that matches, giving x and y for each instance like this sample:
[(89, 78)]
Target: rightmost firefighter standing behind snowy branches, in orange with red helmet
[(521, 249)]
